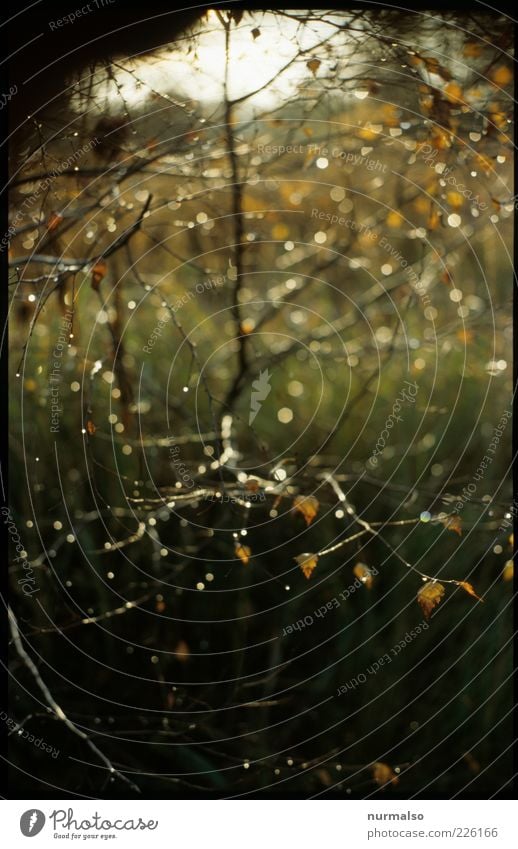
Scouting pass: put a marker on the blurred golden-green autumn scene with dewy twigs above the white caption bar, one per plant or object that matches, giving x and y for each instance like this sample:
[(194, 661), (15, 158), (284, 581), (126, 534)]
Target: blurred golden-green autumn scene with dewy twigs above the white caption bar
[(261, 288)]
